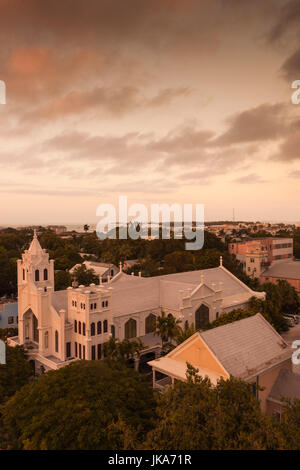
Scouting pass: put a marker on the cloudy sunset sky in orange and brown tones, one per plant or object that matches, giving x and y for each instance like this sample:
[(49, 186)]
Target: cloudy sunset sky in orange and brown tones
[(160, 100)]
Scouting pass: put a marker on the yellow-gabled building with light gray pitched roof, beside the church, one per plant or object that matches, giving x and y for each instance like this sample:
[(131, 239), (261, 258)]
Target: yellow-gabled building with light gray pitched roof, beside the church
[(248, 349)]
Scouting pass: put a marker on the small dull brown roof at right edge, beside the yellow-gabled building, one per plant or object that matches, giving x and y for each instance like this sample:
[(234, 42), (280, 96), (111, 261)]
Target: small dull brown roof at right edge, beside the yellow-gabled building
[(286, 385)]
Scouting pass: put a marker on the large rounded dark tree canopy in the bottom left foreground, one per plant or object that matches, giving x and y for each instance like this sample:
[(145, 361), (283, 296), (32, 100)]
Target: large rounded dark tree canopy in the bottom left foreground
[(86, 405)]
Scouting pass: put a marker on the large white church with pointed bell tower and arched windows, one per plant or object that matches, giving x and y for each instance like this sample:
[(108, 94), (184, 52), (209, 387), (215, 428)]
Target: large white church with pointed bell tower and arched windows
[(58, 327)]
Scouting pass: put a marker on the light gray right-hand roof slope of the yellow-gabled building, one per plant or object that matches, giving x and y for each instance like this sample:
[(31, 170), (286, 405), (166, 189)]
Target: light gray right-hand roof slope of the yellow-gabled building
[(247, 347)]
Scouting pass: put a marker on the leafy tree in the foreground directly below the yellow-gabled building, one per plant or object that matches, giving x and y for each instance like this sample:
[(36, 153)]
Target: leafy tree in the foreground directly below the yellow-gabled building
[(197, 416)]
